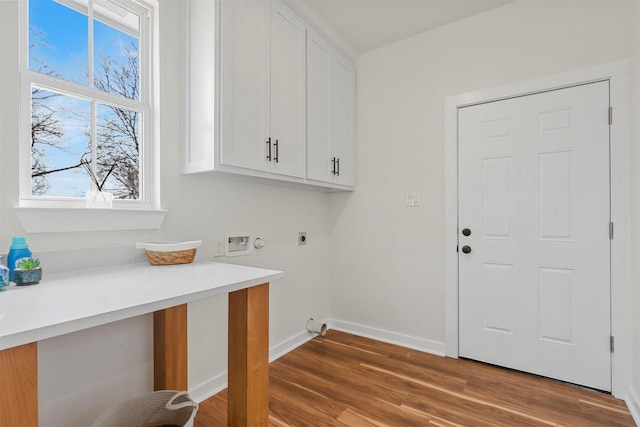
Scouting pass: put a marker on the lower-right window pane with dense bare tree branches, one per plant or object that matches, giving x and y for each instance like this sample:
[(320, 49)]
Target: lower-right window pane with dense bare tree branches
[(118, 151)]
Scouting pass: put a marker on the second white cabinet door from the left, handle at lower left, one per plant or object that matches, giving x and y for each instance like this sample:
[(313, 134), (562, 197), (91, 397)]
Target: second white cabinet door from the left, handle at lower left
[(288, 109)]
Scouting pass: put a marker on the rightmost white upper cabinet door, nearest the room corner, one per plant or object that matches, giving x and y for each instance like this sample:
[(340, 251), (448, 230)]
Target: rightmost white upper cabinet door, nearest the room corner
[(344, 119)]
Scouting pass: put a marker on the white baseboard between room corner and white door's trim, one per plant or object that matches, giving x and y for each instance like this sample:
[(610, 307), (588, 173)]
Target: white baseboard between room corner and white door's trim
[(408, 341)]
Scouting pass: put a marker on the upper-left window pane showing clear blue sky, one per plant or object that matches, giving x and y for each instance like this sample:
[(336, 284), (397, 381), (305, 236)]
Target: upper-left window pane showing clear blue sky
[(58, 41)]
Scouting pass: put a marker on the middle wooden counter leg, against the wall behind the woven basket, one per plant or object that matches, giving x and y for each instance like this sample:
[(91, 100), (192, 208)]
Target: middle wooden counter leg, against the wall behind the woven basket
[(170, 349)]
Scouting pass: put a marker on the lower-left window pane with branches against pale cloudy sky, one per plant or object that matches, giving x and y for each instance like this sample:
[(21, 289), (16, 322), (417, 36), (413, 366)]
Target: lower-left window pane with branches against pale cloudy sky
[(60, 139)]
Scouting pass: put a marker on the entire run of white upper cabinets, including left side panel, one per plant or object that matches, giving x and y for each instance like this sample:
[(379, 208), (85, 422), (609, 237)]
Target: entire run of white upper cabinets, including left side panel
[(266, 95)]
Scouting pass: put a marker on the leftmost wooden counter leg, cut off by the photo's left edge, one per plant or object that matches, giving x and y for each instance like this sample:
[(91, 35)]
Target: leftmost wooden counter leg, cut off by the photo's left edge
[(19, 386)]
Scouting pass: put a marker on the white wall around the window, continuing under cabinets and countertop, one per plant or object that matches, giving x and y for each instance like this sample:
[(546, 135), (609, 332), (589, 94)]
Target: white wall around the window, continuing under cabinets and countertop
[(81, 374)]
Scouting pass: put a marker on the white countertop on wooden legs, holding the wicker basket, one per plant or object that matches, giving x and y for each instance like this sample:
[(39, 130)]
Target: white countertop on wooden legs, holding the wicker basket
[(72, 301)]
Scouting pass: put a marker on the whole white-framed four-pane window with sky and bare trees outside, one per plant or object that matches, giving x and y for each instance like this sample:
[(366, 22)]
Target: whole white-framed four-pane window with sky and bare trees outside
[(87, 92)]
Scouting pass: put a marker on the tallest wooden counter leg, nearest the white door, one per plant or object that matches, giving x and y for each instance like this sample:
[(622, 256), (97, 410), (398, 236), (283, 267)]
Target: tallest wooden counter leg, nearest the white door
[(249, 357)]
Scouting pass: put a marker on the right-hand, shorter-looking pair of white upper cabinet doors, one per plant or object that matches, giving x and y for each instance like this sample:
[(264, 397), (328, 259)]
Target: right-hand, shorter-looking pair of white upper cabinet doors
[(330, 113)]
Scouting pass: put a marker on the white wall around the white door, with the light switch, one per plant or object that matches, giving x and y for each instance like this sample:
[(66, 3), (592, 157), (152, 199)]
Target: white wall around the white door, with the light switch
[(387, 259)]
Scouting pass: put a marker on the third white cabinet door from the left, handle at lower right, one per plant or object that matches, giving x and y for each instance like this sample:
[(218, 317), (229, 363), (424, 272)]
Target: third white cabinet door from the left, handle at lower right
[(319, 108)]
